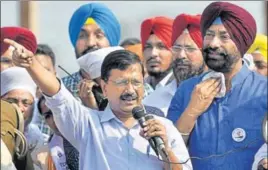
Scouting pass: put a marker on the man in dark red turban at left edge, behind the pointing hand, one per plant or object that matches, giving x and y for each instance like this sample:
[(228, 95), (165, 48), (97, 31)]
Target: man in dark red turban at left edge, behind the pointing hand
[(20, 35)]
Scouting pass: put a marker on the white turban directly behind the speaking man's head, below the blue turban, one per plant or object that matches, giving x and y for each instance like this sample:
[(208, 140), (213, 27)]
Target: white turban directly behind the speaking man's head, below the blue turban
[(91, 62)]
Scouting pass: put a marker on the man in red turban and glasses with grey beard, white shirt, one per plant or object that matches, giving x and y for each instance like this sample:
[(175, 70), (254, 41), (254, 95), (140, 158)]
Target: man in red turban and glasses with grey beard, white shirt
[(187, 59)]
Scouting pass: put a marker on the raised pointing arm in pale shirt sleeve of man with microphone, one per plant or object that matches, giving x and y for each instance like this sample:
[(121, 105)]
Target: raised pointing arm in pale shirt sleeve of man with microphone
[(71, 118)]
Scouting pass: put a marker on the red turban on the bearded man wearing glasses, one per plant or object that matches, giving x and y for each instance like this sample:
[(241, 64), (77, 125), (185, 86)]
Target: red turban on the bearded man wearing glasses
[(189, 22)]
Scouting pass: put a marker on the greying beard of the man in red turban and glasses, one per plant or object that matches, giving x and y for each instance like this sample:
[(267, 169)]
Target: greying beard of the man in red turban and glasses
[(184, 69)]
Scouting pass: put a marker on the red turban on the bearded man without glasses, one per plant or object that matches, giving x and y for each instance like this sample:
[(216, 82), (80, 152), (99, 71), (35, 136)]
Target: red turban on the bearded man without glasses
[(160, 26)]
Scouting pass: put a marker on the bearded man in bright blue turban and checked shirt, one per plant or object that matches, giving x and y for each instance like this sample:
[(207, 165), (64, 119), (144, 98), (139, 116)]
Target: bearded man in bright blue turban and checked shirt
[(92, 26)]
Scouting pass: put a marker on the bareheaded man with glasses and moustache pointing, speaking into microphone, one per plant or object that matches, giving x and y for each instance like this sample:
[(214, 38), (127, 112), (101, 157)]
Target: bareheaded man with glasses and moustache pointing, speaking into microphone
[(110, 139)]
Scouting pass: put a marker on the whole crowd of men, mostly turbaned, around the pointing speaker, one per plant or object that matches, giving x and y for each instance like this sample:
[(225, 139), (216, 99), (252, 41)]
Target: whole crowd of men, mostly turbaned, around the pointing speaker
[(199, 82)]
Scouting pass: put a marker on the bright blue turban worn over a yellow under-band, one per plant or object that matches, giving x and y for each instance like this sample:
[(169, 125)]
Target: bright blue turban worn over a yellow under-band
[(102, 15)]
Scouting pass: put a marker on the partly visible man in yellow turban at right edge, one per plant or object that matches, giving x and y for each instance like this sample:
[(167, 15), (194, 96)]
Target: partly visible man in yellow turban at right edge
[(258, 50)]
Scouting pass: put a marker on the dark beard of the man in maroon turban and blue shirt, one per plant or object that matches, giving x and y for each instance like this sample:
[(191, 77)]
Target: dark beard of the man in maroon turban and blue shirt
[(220, 61)]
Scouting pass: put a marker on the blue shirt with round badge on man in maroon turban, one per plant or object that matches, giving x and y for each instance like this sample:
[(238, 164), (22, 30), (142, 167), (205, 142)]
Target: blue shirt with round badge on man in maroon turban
[(244, 106)]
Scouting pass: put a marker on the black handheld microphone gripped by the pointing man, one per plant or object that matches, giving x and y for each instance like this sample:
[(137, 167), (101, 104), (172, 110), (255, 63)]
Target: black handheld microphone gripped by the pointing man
[(156, 142)]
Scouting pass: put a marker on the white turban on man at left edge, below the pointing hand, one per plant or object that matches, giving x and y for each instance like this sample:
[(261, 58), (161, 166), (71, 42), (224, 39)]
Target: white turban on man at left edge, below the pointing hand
[(17, 78)]
